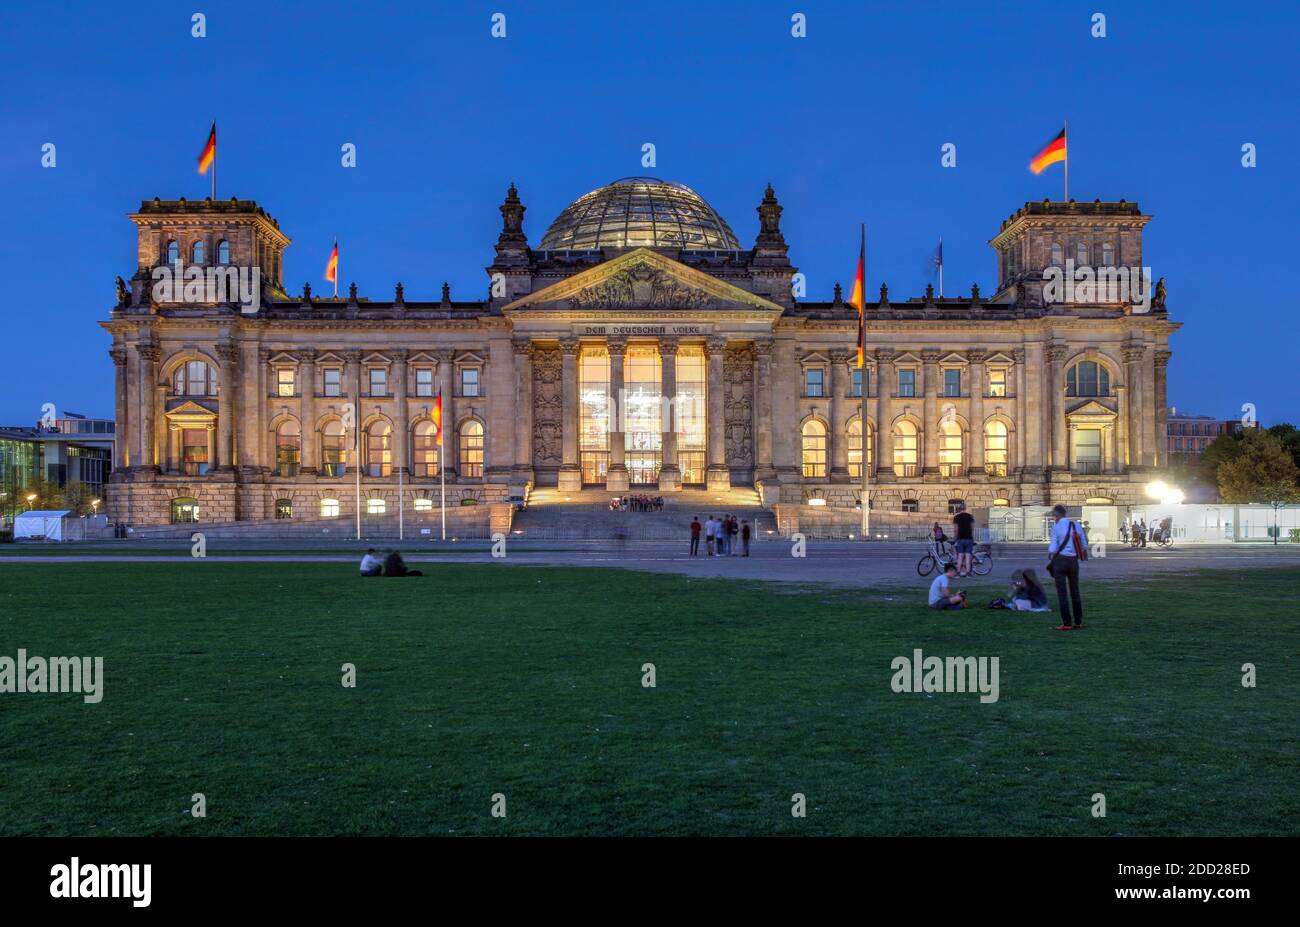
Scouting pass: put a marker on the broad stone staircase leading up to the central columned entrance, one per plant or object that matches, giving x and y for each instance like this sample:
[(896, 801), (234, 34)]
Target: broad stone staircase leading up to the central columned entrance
[(586, 516)]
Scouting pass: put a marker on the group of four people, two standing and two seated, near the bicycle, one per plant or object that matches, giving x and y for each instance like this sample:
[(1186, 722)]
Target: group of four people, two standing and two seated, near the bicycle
[(1068, 547)]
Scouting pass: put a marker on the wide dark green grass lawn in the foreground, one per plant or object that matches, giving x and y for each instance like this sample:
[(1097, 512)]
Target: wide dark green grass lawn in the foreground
[(478, 679)]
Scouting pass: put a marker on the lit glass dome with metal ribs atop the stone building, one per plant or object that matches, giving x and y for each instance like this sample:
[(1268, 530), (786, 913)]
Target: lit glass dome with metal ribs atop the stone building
[(640, 213)]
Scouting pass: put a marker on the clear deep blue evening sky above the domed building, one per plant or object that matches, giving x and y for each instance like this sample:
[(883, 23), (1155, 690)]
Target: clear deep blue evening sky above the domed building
[(847, 124)]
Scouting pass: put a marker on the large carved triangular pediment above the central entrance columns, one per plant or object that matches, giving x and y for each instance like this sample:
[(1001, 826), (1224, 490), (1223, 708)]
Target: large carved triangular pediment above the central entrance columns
[(643, 280)]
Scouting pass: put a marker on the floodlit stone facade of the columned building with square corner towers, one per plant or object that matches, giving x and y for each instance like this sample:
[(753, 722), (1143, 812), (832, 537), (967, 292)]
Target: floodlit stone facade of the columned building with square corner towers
[(644, 363)]
